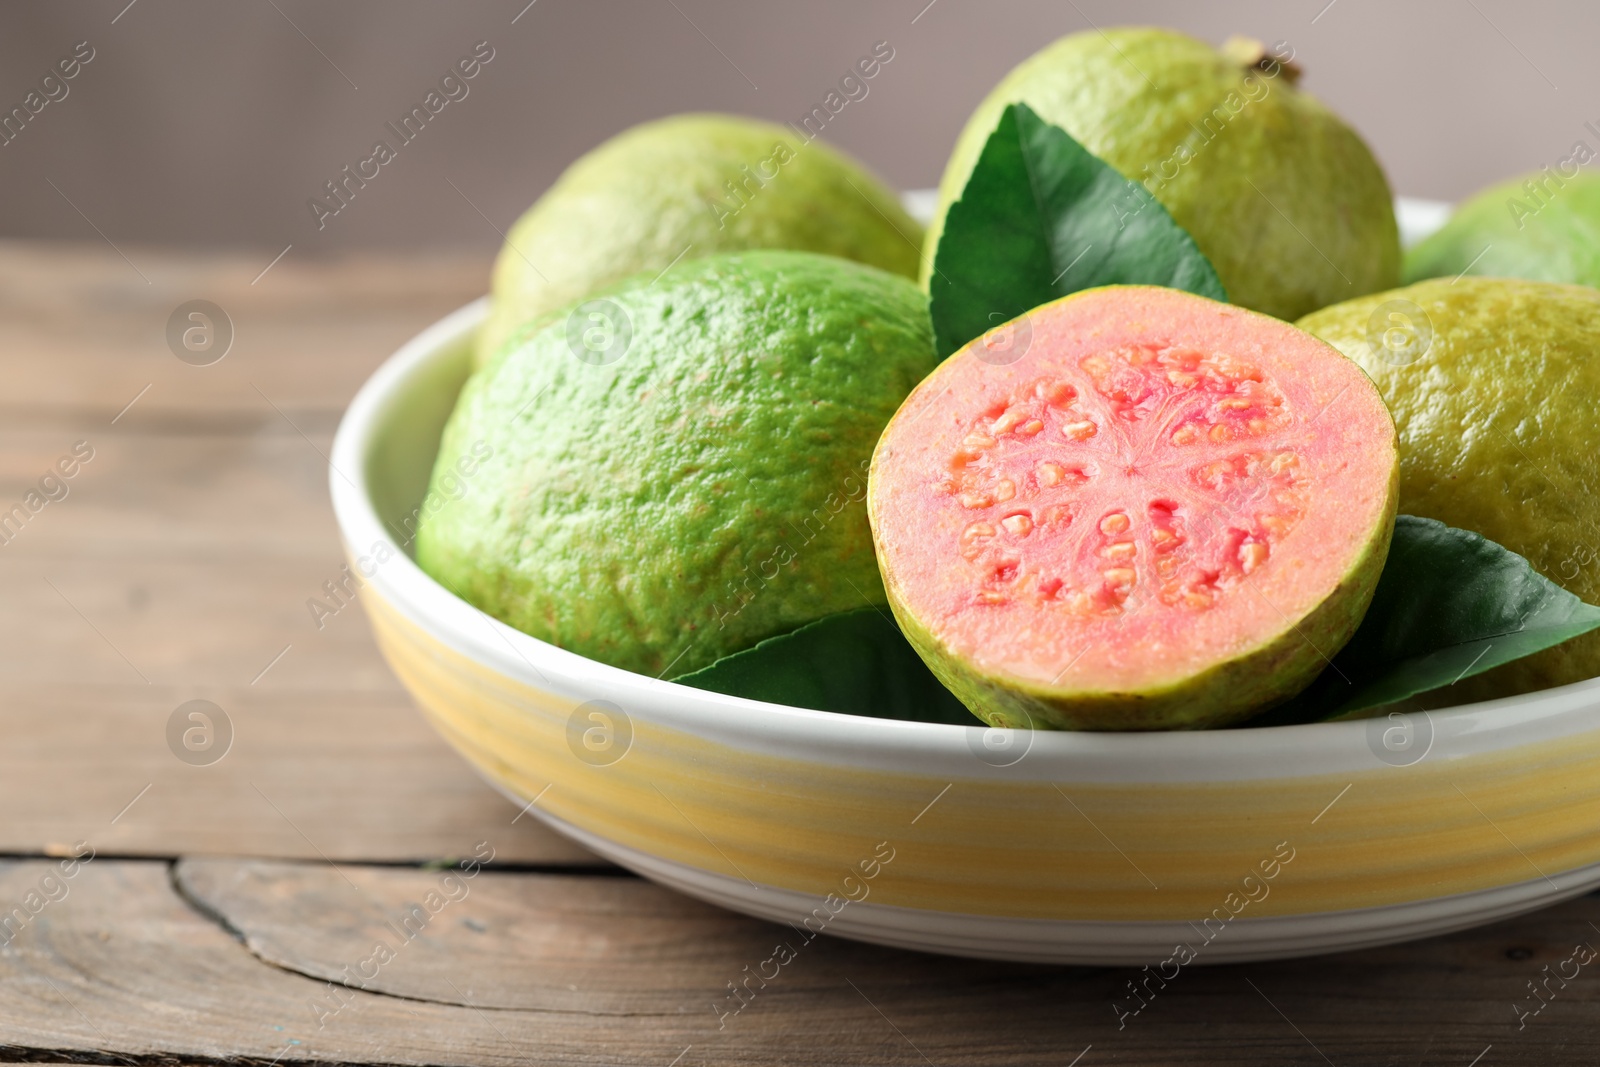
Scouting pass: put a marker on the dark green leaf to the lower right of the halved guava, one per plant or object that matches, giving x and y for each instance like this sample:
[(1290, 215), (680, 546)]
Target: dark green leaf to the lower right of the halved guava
[(1450, 605)]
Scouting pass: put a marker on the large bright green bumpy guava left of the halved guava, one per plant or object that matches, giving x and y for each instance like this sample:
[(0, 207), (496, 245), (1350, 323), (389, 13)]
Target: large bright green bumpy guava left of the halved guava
[(702, 494)]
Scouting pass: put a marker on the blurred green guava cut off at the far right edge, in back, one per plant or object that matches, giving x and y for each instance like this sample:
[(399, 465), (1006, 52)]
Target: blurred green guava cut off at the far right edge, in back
[(1550, 239)]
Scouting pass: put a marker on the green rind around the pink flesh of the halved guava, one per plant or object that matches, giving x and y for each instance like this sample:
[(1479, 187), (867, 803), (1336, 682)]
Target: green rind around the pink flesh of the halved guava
[(1228, 692)]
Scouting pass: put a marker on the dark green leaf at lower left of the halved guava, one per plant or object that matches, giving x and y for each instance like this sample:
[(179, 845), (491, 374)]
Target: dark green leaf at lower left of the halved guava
[(857, 663)]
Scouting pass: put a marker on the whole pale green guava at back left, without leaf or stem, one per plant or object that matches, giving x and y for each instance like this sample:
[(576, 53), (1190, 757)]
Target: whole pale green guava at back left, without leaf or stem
[(660, 193)]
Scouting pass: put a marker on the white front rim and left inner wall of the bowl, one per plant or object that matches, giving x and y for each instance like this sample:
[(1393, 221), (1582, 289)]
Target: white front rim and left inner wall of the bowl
[(382, 465)]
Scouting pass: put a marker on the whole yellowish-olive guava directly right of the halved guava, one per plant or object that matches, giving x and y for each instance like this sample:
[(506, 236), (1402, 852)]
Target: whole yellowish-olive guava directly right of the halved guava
[(1498, 436)]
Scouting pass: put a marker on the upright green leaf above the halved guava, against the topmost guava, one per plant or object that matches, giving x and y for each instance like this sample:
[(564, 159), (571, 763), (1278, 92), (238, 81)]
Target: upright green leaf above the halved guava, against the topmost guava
[(1042, 218)]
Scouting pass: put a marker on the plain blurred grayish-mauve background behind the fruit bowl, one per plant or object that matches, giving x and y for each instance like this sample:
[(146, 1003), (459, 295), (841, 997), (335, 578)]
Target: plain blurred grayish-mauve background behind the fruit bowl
[(212, 124)]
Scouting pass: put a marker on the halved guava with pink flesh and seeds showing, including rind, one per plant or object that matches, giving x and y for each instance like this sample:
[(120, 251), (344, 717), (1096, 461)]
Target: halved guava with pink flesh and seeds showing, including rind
[(1135, 510)]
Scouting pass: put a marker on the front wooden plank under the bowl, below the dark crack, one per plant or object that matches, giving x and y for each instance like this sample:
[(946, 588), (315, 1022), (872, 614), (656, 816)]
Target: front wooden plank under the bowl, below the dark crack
[(588, 970)]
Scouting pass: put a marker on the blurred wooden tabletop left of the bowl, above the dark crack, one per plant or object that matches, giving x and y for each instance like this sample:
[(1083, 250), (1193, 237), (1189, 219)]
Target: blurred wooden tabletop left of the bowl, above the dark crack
[(180, 562)]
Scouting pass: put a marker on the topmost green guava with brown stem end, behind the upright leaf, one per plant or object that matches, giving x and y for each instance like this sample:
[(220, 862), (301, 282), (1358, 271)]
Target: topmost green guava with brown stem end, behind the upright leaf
[(1286, 201)]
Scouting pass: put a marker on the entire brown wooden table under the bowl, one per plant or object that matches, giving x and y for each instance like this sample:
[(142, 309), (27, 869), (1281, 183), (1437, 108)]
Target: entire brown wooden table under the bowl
[(226, 903)]
